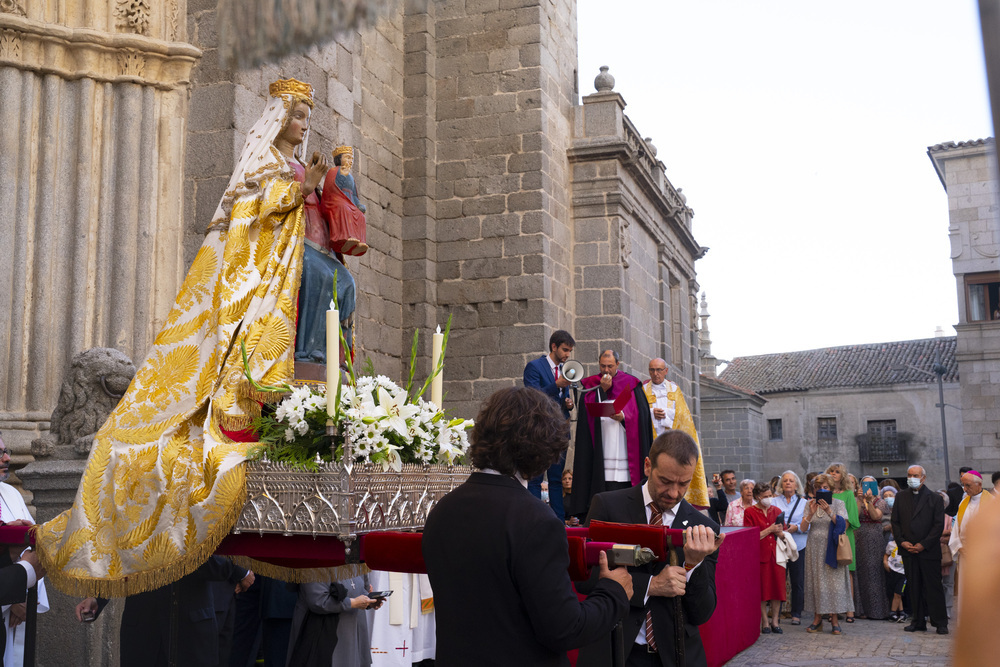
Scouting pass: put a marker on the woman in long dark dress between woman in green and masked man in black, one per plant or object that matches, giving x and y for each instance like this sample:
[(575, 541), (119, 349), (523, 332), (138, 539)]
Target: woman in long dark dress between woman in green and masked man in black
[(869, 548)]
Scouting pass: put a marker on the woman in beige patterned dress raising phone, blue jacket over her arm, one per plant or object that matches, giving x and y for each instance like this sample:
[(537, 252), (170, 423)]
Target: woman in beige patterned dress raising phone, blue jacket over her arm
[(828, 585)]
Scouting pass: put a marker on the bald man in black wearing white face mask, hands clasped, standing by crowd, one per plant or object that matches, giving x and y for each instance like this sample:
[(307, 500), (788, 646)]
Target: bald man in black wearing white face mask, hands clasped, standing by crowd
[(917, 524)]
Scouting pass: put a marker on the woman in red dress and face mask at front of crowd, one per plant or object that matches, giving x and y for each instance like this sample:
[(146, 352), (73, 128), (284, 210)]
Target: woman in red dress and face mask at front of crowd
[(765, 516)]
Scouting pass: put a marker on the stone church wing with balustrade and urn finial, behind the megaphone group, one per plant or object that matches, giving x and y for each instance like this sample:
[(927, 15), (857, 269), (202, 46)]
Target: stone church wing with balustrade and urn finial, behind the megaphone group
[(634, 251)]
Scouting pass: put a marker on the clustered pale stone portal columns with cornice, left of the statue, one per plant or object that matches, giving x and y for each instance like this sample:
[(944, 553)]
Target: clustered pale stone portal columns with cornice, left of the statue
[(93, 101)]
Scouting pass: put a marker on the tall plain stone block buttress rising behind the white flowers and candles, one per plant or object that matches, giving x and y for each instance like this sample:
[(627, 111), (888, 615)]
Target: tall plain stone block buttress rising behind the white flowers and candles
[(504, 83)]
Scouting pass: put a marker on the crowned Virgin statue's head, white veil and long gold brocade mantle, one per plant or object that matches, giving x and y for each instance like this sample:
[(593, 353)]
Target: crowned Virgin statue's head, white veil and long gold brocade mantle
[(164, 482)]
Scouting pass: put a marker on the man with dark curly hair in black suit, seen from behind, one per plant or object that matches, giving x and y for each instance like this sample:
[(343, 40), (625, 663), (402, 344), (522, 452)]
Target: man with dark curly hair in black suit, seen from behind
[(497, 558)]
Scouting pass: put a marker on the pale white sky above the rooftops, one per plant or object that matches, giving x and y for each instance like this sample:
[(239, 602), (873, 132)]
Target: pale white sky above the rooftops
[(799, 133)]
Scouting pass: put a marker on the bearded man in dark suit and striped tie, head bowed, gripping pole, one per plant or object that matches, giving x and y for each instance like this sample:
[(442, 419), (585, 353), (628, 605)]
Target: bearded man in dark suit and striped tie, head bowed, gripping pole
[(657, 586)]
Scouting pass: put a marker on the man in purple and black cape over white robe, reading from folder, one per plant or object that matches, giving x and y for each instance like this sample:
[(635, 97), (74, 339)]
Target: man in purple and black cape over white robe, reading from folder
[(610, 451)]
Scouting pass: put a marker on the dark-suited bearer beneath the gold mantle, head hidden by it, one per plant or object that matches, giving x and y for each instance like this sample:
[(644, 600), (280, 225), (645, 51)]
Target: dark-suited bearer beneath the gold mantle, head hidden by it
[(145, 635)]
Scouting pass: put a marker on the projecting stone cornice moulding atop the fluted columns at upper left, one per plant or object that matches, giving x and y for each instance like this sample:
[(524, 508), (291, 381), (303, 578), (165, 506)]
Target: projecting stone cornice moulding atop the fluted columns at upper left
[(77, 53)]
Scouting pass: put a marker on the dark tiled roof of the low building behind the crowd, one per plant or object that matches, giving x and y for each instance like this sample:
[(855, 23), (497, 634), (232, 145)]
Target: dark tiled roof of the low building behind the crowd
[(845, 366)]
